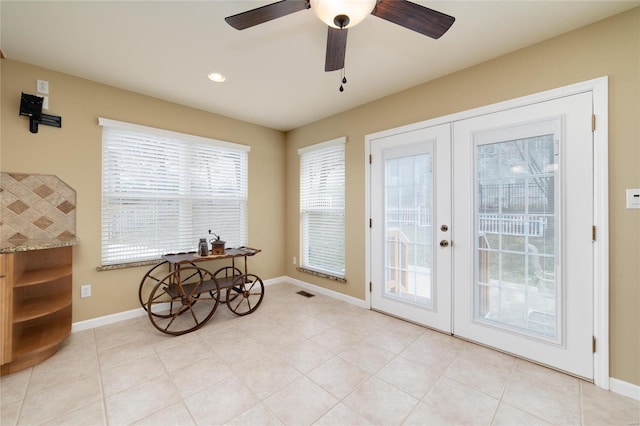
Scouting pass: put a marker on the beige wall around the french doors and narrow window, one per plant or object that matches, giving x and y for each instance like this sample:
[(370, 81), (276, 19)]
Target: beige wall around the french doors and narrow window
[(607, 48)]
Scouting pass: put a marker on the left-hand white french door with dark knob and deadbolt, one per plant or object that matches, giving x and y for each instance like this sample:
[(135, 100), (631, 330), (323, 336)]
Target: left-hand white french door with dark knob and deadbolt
[(410, 216)]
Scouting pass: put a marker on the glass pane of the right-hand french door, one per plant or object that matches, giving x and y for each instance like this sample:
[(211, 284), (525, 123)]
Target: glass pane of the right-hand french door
[(516, 233)]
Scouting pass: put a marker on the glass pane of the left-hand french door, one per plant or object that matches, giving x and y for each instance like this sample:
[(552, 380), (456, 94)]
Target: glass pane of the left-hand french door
[(408, 231)]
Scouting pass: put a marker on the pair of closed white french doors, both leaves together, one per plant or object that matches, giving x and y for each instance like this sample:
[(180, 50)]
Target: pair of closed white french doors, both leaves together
[(482, 228)]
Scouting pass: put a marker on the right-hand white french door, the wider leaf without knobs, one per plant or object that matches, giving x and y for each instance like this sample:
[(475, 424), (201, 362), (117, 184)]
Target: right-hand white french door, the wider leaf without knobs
[(523, 185)]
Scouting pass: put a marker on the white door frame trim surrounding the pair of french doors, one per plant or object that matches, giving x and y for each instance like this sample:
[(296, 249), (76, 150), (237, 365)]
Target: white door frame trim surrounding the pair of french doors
[(600, 90)]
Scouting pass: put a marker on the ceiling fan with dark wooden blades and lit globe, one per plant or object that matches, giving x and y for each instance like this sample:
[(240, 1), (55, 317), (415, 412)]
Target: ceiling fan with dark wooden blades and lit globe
[(340, 15)]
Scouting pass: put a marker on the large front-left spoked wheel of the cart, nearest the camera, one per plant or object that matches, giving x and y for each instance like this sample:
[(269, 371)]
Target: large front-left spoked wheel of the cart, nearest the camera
[(172, 306)]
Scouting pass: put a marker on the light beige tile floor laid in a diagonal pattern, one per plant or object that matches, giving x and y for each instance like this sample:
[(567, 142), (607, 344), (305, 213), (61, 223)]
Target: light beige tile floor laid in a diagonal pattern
[(296, 361)]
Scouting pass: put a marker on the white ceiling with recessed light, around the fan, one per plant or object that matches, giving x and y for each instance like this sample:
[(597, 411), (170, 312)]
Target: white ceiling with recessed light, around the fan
[(275, 71)]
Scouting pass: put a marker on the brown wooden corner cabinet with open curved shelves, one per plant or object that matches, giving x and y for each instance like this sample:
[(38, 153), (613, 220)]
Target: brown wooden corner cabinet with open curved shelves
[(35, 291)]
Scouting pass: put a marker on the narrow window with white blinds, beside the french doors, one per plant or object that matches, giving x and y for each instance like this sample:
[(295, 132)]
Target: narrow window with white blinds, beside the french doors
[(322, 205)]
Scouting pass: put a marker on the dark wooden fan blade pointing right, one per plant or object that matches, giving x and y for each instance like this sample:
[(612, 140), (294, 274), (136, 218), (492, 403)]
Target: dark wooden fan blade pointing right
[(414, 17)]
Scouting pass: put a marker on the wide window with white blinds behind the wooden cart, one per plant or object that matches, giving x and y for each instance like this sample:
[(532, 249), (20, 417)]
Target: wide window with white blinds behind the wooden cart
[(162, 191)]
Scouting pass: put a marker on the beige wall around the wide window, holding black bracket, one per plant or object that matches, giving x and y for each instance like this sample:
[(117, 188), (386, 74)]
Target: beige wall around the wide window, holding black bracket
[(73, 153)]
